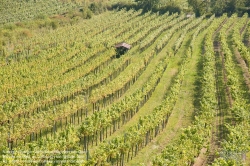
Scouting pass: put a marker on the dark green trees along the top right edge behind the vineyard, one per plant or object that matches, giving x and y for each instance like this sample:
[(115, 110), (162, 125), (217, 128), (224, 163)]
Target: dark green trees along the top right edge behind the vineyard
[(199, 7)]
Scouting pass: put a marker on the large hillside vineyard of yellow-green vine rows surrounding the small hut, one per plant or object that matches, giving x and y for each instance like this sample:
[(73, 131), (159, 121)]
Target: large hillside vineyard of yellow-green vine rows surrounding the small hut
[(179, 96)]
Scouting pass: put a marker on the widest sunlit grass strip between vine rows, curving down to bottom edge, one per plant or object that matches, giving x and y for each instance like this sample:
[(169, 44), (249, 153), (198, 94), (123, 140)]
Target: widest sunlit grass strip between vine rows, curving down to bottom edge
[(183, 112)]
